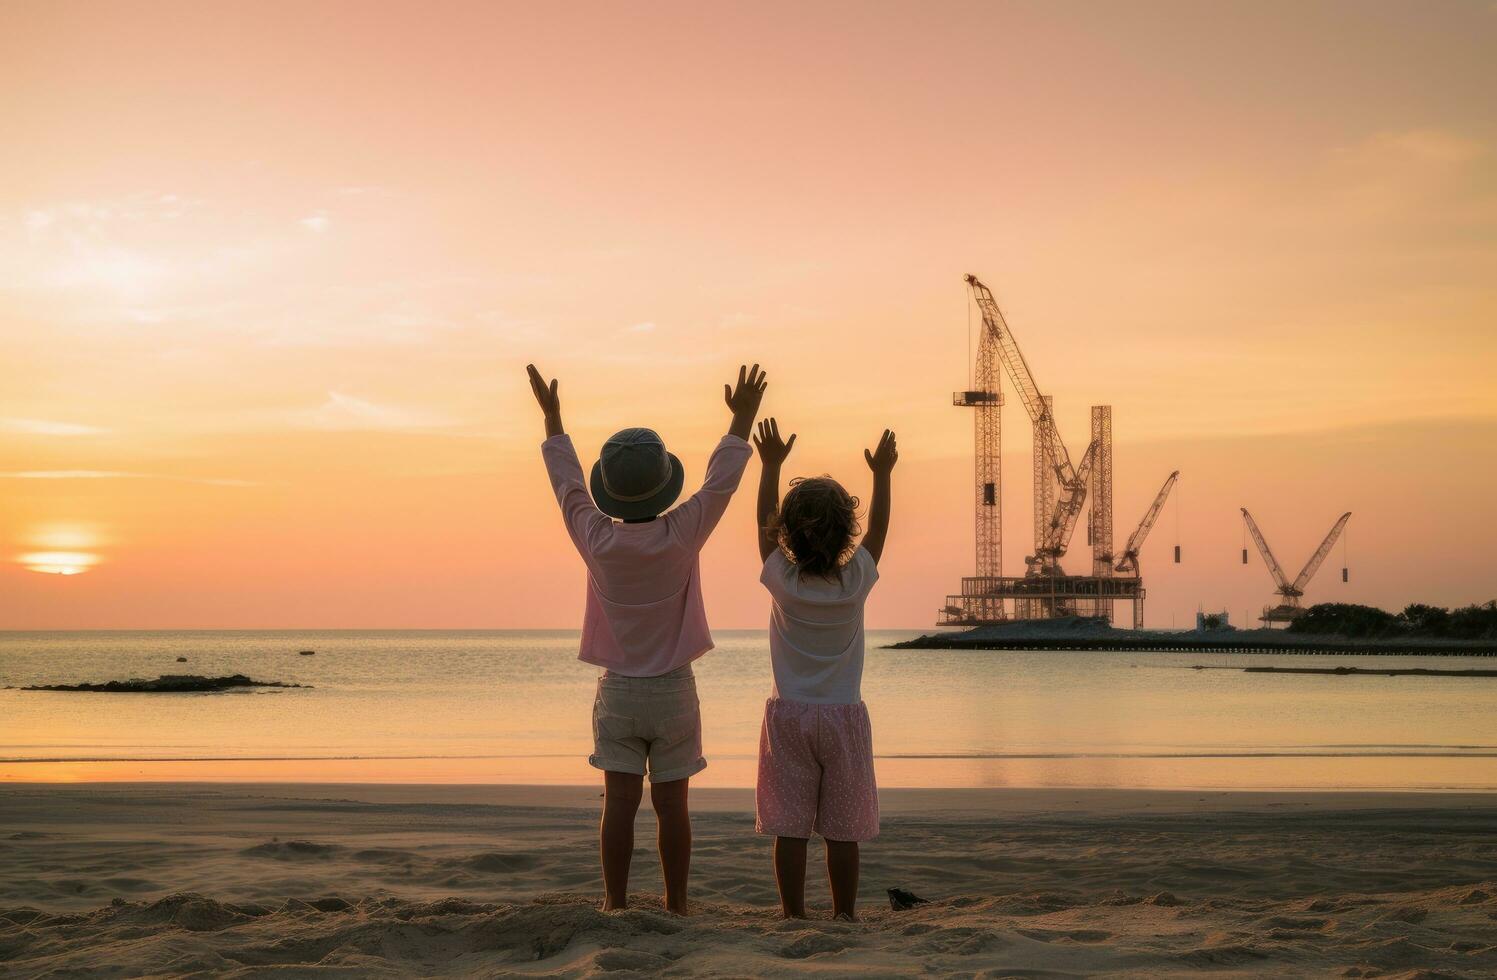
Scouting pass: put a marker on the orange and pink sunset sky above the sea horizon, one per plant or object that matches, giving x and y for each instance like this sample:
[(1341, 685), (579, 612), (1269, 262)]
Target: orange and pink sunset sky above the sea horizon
[(270, 276)]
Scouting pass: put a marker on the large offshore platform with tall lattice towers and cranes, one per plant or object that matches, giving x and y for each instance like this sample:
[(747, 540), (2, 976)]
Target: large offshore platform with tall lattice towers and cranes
[(1062, 490)]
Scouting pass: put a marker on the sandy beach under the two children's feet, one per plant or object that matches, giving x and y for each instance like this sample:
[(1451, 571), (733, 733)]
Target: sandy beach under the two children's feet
[(390, 881)]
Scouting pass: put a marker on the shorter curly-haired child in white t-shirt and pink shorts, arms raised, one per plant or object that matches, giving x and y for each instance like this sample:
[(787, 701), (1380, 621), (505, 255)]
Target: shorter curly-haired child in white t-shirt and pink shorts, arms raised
[(817, 741)]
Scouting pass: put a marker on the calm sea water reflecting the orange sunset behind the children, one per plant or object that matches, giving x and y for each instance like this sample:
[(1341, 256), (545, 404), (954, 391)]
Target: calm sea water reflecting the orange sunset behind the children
[(514, 707)]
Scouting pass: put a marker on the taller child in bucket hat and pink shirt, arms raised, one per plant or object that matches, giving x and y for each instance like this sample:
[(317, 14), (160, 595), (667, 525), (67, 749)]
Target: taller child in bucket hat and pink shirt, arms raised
[(644, 620)]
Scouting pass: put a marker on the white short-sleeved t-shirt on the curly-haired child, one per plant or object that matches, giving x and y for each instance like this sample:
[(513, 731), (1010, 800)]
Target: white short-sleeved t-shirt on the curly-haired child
[(817, 631)]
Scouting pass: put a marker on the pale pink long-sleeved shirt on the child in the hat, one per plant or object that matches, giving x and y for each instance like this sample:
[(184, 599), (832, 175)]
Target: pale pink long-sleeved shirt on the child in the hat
[(644, 613)]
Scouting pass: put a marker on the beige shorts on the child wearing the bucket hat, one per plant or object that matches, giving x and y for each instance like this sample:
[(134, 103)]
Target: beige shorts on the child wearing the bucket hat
[(649, 725)]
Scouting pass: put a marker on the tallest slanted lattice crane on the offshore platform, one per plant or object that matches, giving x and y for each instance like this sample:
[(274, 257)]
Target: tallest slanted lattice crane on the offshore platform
[(1055, 536)]
